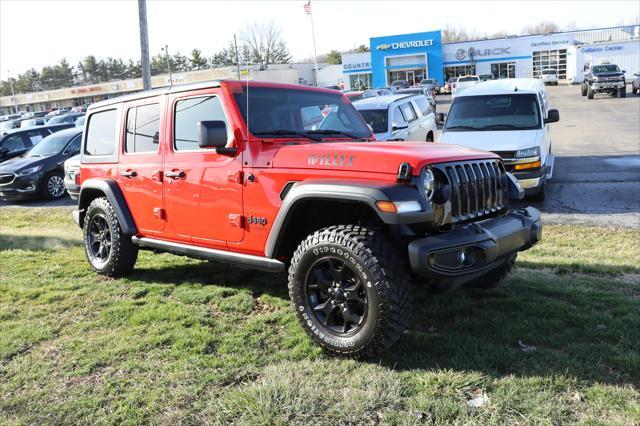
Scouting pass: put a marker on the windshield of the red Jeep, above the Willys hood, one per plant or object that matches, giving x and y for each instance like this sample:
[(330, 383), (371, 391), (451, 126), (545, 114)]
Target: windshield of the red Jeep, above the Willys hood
[(293, 112)]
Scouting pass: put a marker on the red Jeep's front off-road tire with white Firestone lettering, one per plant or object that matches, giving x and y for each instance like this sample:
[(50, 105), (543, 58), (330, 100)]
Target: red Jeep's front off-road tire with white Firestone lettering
[(377, 265)]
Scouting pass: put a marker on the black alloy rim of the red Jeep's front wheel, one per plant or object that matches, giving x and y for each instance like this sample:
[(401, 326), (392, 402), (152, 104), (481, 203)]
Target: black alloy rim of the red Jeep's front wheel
[(336, 295)]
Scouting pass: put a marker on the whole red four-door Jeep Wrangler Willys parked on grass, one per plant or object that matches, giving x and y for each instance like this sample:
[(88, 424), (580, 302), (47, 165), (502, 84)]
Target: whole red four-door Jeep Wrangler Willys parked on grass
[(278, 177)]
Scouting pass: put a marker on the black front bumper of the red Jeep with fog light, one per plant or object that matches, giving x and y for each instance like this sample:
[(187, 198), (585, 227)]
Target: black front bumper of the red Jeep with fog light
[(474, 249)]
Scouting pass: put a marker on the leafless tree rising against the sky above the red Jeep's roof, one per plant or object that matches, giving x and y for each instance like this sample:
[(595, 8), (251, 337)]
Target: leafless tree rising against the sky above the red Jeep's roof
[(265, 43)]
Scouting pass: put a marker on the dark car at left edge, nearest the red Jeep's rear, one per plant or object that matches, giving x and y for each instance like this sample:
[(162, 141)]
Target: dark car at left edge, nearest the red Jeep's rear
[(40, 172)]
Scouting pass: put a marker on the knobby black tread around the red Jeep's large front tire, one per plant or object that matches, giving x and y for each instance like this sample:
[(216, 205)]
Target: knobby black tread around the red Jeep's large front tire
[(386, 264)]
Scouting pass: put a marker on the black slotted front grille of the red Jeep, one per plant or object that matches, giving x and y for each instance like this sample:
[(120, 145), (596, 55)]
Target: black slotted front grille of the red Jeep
[(476, 188)]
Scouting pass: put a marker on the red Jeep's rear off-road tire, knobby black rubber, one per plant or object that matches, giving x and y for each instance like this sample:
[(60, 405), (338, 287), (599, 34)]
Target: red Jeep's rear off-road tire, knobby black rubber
[(122, 254)]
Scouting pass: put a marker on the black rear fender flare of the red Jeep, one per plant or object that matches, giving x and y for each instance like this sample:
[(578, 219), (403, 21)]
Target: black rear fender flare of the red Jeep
[(112, 191)]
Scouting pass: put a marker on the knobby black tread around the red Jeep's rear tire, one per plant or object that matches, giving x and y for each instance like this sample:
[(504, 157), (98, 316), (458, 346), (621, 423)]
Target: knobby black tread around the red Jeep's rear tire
[(123, 252)]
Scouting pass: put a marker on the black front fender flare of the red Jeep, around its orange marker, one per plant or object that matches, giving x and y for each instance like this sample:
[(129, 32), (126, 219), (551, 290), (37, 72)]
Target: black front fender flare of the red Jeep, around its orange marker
[(364, 192)]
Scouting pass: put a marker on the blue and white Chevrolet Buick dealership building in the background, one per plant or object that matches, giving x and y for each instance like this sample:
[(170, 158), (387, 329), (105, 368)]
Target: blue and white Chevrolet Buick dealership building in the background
[(415, 56)]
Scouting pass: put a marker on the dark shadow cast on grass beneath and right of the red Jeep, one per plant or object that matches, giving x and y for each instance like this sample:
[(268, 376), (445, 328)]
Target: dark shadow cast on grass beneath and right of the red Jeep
[(541, 324)]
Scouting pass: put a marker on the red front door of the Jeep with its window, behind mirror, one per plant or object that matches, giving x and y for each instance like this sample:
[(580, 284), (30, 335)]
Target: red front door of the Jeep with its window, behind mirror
[(202, 189)]
